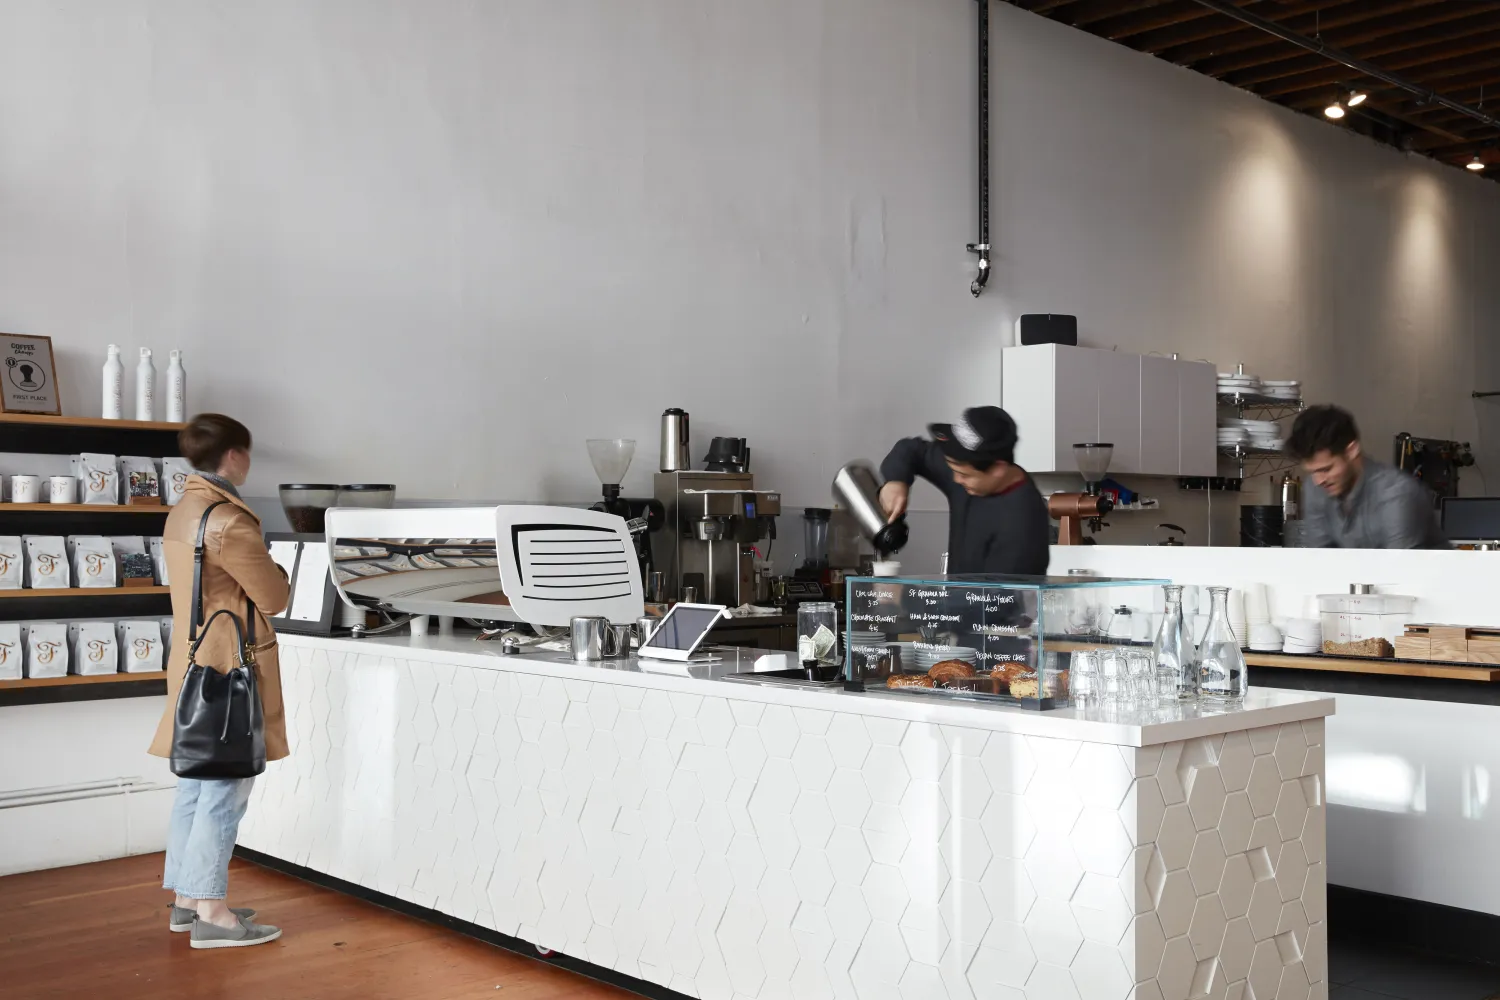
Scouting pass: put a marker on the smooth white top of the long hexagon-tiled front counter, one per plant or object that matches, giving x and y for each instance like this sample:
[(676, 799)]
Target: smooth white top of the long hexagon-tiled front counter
[(1136, 728)]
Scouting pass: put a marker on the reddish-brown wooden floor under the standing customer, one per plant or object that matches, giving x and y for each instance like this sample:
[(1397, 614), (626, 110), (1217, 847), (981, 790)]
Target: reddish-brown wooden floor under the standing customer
[(101, 932)]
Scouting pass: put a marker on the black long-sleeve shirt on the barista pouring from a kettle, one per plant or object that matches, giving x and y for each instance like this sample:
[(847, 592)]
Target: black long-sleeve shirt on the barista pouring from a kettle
[(1007, 533)]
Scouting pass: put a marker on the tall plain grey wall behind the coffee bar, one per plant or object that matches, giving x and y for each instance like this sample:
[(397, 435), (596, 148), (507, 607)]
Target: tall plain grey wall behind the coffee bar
[(443, 244)]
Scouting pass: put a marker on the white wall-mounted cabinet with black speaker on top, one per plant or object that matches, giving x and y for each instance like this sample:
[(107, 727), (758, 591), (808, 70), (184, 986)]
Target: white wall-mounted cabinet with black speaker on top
[(1159, 415)]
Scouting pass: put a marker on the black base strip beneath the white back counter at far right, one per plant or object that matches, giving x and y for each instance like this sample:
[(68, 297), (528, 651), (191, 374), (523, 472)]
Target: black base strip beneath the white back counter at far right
[(1432, 929)]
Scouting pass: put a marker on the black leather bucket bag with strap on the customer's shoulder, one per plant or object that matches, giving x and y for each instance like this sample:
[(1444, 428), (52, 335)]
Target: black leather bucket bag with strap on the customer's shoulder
[(220, 728)]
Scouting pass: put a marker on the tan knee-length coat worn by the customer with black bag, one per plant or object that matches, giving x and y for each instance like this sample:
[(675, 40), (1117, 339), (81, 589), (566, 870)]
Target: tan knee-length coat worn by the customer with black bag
[(236, 566)]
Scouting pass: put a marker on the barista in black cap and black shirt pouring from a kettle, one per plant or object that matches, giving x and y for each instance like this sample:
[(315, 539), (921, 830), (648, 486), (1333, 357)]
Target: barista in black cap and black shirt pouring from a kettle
[(997, 518)]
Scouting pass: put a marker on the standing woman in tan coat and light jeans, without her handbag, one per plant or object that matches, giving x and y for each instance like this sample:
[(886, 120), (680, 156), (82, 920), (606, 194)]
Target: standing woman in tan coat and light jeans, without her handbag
[(236, 566)]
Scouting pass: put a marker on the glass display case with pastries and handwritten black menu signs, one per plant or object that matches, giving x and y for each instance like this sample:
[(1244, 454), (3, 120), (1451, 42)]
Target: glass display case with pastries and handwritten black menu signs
[(992, 638)]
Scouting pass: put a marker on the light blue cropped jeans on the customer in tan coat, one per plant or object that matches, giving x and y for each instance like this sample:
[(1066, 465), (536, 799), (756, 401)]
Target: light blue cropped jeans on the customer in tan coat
[(206, 819)]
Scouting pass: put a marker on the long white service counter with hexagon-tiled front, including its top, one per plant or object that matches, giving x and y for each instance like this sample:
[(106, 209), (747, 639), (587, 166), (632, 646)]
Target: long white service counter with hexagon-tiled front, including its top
[(733, 842)]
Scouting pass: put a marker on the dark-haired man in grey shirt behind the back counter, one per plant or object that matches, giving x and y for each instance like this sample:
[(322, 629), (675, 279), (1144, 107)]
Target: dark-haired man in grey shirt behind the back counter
[(1360, 503)]
